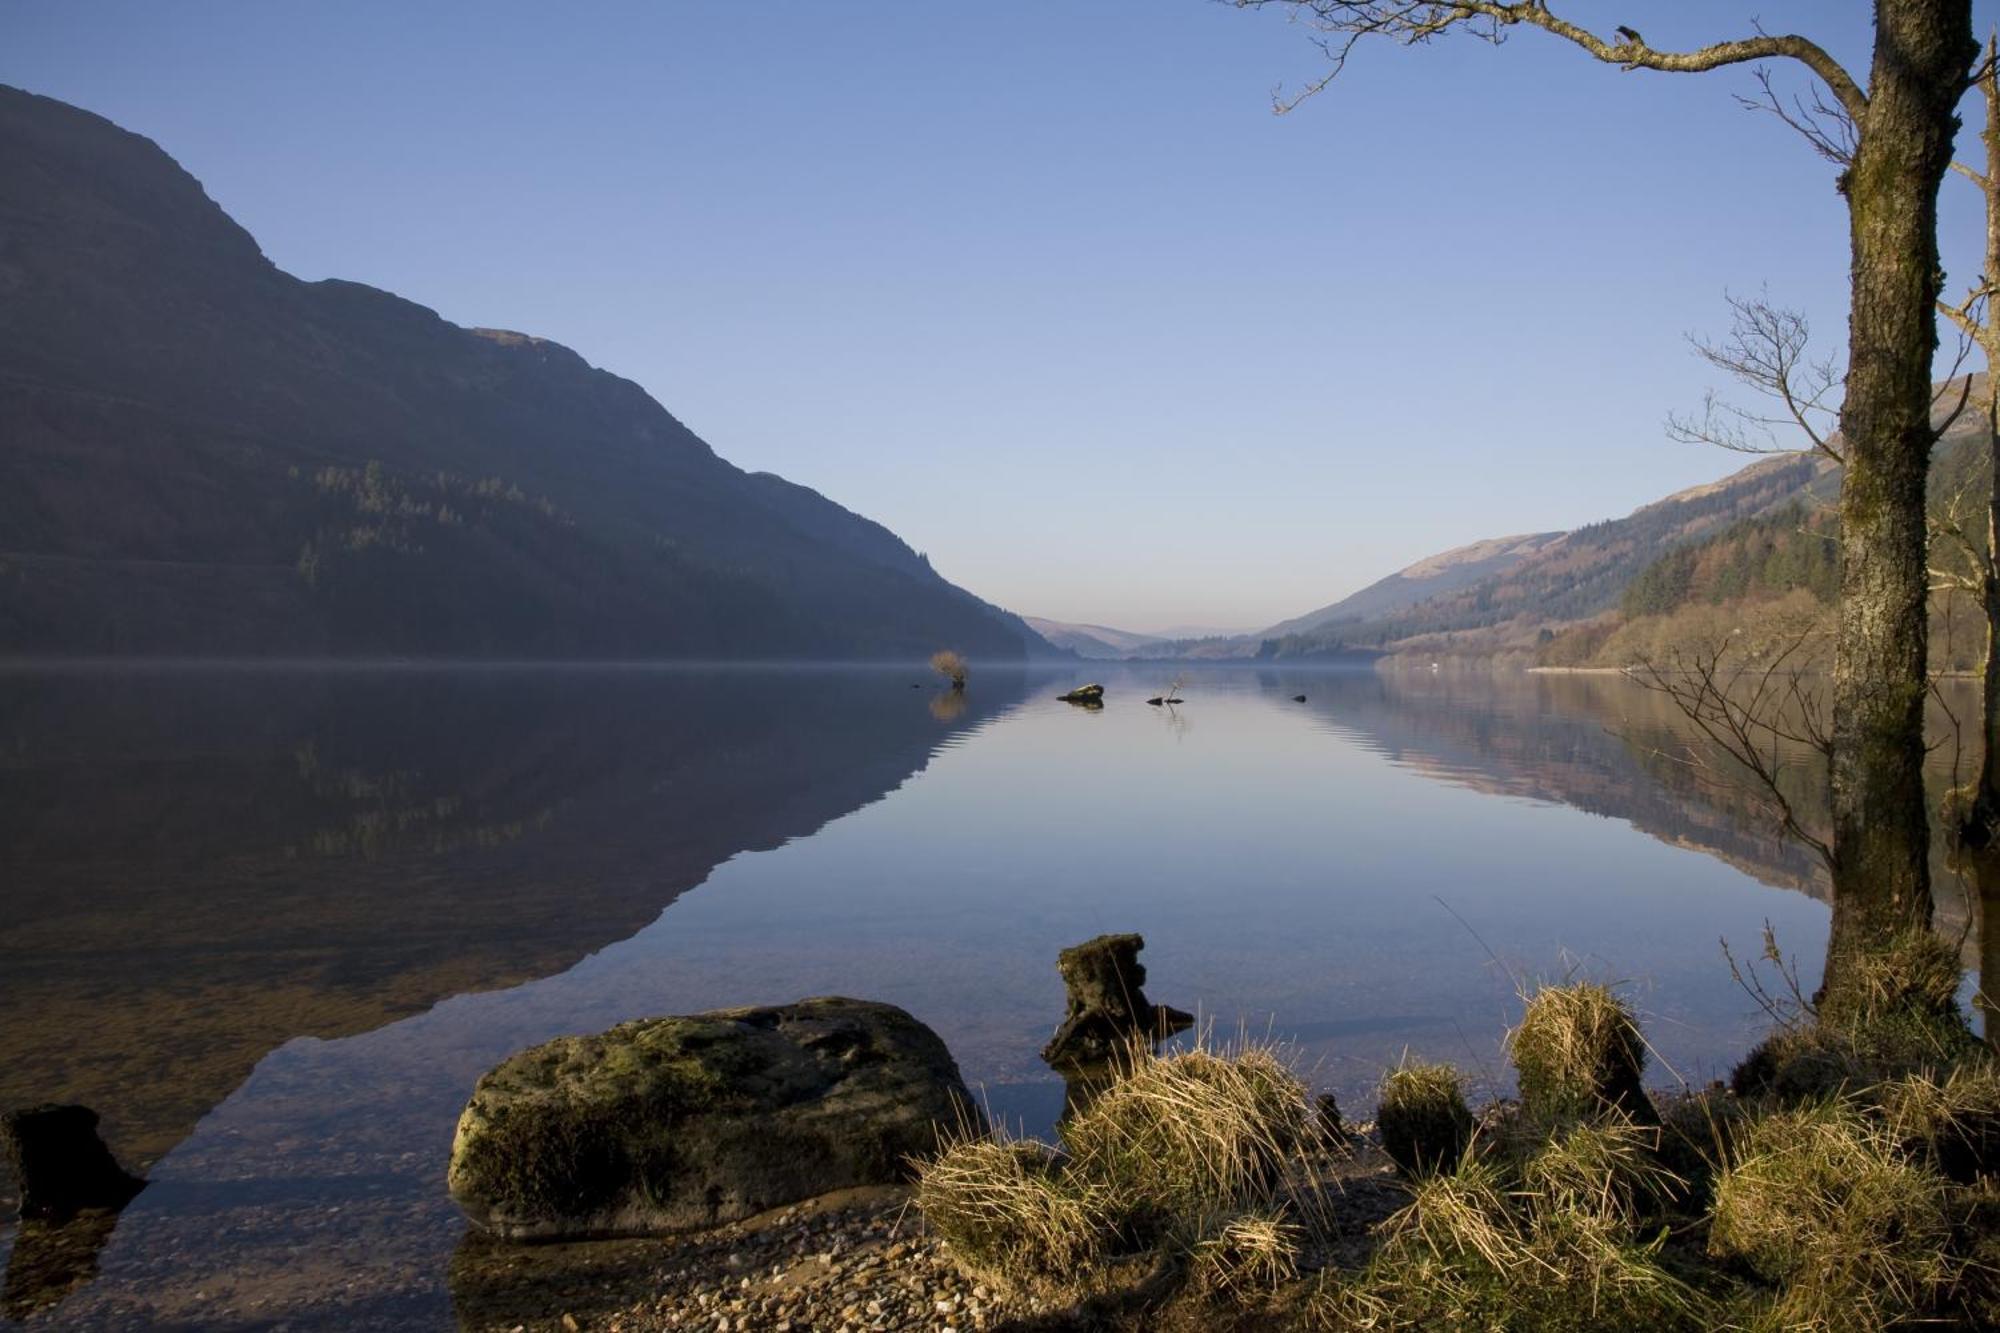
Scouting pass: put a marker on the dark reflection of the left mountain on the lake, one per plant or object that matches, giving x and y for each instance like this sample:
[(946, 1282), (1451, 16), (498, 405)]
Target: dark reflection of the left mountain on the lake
[(197, 868)]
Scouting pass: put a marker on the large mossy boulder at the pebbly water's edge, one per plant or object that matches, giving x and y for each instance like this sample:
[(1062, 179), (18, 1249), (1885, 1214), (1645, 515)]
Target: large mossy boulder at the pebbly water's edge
[(679, 1124)]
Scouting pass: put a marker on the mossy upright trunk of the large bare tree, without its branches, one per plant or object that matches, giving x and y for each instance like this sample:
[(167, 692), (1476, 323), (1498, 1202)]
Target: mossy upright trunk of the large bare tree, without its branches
[(1905, 147)]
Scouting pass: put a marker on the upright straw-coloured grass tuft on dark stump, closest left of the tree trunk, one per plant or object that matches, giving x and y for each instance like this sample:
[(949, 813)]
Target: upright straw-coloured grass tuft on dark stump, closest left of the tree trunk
[(1579, 1054)]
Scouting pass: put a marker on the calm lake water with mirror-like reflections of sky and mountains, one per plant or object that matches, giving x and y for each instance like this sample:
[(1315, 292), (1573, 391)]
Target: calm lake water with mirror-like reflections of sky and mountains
[(275, 924)]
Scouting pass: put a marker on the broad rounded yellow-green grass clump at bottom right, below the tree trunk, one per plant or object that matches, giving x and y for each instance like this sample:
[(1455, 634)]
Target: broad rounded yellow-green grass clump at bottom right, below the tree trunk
[(1827, 1206)]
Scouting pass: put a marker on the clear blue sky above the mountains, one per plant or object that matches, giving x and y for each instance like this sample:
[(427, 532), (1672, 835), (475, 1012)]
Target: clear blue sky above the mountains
[(1045, 287)]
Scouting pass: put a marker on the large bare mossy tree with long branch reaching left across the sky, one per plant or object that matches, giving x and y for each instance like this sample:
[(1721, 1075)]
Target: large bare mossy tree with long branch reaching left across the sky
[(1903, 129)]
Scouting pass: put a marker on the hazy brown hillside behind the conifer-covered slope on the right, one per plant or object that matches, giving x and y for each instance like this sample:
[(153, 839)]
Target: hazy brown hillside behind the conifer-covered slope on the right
[(1507, 595)]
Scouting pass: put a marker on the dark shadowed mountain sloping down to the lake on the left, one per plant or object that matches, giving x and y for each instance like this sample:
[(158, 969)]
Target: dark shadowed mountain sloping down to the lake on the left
[(211, 457)]
